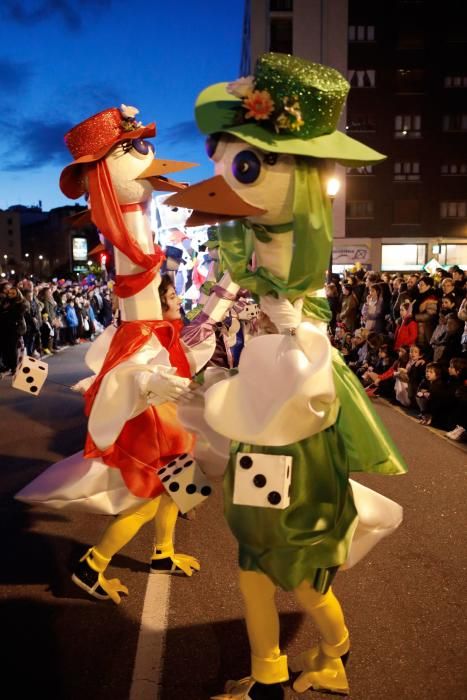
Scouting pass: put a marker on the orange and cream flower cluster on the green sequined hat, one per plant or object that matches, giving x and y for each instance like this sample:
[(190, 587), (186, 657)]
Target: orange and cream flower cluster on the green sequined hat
[(260, 106)]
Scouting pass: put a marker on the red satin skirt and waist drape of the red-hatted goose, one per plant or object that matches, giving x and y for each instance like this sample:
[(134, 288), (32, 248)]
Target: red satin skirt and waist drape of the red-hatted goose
[(154, 437)]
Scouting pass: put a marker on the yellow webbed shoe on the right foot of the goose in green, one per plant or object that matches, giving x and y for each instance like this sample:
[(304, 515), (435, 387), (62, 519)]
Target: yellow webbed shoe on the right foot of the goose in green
[(320, 672)]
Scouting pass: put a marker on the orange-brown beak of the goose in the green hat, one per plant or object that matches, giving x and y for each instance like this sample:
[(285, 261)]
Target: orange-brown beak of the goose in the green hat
[(212, 202)]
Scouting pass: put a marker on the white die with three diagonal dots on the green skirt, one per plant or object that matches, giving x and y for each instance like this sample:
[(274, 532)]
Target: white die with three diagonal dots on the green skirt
[(262, 480)]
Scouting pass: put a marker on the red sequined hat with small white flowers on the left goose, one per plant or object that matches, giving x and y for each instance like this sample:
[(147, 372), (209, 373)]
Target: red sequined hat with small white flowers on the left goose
[(92, 139)]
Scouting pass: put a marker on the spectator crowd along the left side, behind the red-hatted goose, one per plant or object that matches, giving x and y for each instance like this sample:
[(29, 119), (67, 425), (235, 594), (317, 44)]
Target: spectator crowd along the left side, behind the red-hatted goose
[(40, 319)]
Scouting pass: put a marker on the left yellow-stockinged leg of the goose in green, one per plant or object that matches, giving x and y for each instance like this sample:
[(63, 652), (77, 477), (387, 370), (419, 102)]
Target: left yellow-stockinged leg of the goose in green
[(262, 621)]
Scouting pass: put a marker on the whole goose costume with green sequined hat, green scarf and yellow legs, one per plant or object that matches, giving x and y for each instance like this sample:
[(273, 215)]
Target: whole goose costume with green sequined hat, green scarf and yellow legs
[(293, 402)]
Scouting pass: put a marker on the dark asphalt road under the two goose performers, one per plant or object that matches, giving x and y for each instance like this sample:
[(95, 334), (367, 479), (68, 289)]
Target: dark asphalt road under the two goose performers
[(404, 604)]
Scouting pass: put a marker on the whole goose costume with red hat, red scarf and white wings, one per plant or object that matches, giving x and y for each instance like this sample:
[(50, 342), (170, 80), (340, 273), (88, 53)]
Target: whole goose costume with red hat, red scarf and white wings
[(141, 367)]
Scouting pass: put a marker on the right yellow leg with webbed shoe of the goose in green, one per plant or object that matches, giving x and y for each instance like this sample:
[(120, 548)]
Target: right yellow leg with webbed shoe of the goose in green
[(322, 667)]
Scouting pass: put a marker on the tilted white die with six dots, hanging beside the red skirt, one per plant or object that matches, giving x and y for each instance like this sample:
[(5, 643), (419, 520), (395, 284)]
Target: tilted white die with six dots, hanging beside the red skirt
[(185, 482)]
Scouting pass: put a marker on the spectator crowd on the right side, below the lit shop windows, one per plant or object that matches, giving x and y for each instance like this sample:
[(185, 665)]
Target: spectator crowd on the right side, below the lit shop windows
[(406, 340)]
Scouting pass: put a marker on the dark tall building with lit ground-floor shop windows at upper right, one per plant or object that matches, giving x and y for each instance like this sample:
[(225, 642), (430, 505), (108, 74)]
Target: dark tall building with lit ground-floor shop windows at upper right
[(407, 65)]
